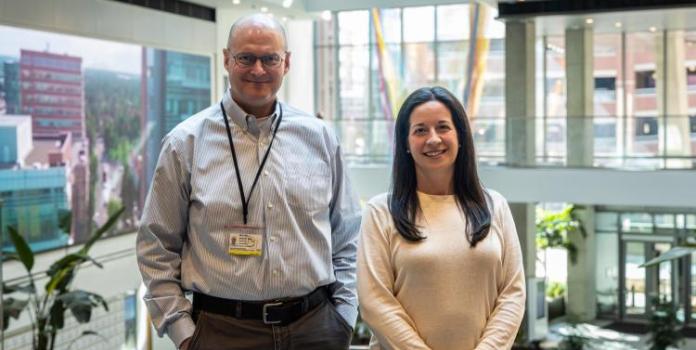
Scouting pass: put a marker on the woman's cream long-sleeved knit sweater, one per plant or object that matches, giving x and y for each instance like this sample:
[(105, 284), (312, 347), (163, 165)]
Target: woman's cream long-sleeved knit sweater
[(440, 293)]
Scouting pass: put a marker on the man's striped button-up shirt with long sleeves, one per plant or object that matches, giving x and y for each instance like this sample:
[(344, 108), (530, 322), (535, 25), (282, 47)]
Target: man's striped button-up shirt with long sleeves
[(303, 201)]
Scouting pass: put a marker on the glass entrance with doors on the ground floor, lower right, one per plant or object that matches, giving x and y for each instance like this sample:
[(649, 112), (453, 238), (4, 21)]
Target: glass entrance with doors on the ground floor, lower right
[(627, 238)]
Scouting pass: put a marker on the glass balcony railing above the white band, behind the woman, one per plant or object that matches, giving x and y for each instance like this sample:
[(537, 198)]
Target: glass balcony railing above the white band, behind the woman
[(637, 142)]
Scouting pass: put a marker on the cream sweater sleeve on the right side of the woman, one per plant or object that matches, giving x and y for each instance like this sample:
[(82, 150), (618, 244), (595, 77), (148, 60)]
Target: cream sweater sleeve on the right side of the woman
[(501, 327)]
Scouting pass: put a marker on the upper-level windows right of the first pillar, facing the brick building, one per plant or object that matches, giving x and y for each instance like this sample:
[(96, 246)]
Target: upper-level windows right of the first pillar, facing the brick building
[(644, 100)]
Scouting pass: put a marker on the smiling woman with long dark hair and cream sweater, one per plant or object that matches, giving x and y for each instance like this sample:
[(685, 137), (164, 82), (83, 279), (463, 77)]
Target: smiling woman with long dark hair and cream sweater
[(439, 263)]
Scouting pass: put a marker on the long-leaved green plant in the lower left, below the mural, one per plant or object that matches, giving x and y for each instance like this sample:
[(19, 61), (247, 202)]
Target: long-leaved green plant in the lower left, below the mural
[(47, 311)]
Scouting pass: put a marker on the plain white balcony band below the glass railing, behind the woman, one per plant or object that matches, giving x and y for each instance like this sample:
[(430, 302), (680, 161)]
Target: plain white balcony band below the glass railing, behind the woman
[(668, 188)]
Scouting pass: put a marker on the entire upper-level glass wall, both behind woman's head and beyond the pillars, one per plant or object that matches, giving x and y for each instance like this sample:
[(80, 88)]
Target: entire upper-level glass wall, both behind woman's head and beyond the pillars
[(644, 99)]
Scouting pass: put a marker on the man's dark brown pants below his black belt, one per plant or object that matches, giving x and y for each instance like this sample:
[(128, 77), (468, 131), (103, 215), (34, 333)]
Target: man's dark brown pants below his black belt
[(321, 328)]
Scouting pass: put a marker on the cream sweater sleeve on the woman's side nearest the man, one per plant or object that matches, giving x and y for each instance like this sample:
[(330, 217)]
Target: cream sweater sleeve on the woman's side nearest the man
[(386, 317)]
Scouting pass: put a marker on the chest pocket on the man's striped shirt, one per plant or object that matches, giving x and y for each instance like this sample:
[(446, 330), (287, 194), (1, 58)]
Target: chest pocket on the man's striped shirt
[(308, 184)]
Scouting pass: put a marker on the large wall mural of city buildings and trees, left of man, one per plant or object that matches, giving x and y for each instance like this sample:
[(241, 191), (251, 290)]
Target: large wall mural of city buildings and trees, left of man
[(81, 122)]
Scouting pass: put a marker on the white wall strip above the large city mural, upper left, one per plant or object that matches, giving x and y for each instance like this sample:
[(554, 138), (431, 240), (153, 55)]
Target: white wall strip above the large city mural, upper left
[(113, 21)]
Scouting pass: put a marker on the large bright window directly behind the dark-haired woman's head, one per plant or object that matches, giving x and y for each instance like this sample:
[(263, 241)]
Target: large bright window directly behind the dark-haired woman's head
[(368, 61)]
